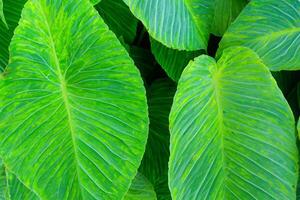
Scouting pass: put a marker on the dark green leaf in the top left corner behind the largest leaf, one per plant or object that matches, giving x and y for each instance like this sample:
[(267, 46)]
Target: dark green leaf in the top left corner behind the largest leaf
[(12, 11)]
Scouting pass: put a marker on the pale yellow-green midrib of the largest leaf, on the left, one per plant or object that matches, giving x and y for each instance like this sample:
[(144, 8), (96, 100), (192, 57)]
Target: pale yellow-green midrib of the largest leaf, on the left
[(64, 91)]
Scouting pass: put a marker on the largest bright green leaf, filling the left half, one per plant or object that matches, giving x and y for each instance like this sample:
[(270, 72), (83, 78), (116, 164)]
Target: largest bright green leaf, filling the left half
[(73, 117)]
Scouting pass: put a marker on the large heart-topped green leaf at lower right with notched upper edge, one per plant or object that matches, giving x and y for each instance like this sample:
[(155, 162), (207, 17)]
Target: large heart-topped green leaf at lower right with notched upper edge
[(232, 132)]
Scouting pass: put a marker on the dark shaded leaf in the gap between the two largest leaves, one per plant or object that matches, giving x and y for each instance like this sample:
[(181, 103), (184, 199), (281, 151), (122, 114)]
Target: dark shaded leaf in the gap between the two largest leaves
[(155, 161)]
